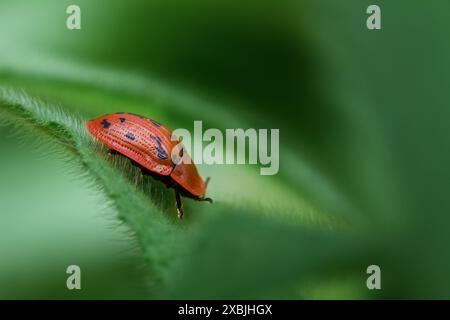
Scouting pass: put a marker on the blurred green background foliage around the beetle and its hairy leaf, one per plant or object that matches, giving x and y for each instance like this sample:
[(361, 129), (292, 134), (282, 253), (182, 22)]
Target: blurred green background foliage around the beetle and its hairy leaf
[(364, 144)]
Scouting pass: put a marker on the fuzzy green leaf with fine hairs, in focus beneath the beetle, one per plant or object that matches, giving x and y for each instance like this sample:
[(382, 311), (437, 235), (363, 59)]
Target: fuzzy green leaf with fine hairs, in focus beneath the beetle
[(144, 204)]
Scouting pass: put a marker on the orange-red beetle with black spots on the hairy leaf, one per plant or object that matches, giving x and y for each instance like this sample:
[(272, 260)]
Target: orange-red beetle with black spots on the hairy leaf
[(149, 144)]
